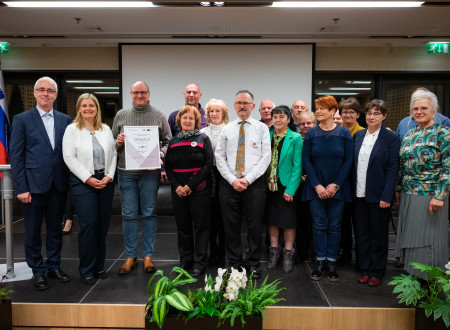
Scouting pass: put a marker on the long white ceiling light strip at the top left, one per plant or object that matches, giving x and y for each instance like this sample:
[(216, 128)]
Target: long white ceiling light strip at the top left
[(79, 4)]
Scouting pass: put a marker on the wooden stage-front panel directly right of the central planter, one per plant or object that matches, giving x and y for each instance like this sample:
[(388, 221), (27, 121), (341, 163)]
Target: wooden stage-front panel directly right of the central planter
[(298, 318)]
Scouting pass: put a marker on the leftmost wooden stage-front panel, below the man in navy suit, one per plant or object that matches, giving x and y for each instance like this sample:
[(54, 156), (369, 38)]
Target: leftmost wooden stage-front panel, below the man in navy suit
[(45, 315)]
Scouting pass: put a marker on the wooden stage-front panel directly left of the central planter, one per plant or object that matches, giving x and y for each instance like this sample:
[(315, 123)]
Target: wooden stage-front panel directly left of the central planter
[(113, 316)]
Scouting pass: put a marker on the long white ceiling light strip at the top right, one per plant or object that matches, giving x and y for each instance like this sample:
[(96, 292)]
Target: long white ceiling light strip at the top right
[(347, 4)]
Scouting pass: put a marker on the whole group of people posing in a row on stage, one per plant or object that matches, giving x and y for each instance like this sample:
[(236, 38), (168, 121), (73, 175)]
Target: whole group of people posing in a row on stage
[(299, 172)]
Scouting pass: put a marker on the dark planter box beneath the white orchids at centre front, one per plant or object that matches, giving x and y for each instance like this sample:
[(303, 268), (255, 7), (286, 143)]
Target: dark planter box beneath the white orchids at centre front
[(207, 323)]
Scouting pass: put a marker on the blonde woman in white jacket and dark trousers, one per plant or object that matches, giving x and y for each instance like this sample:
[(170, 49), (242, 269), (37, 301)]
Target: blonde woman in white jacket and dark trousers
[(89, 151)]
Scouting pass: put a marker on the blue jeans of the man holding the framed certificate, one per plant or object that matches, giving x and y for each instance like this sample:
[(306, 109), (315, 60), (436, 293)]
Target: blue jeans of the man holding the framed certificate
[(135, 188)]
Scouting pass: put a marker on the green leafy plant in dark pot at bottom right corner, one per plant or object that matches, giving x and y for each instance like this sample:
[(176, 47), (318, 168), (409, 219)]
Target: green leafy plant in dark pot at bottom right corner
[(430, 296)]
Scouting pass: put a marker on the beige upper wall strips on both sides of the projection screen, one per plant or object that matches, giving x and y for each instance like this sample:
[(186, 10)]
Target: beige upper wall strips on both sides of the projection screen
[(327, 58)]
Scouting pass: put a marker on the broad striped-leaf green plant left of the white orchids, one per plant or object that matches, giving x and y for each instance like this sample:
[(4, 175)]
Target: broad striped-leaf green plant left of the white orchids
[(165, 293)]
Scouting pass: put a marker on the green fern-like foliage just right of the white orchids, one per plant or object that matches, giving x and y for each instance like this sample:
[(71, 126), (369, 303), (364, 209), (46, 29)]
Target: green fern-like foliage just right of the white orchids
[(252, 301)]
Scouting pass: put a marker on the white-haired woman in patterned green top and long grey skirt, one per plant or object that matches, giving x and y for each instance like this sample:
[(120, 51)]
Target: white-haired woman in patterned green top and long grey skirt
[(423, 186)]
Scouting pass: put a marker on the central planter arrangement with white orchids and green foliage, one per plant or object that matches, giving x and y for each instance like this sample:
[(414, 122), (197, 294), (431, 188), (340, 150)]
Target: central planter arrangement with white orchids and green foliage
[(232, 296)]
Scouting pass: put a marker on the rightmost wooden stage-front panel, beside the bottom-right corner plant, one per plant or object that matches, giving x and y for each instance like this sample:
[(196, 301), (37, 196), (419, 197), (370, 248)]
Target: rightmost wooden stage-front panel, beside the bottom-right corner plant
[(373, 318)]
